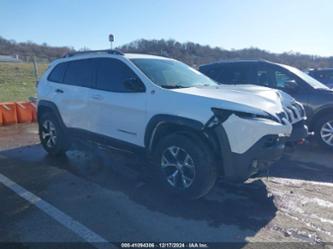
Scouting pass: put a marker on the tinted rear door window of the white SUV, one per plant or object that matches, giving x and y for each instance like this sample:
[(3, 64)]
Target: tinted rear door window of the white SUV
[(80, 73)]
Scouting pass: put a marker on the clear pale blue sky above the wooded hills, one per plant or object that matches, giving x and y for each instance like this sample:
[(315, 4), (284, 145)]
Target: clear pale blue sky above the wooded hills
[(278, 26)]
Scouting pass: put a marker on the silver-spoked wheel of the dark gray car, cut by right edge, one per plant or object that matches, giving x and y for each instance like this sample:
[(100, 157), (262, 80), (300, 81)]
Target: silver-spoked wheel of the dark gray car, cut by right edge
[(324, 131)]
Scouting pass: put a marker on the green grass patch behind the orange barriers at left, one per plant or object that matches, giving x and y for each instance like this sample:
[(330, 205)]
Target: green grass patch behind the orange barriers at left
[(17, 81)]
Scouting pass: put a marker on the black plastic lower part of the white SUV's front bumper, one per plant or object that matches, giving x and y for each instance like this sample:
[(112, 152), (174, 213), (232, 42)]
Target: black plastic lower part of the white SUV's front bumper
[(239, 167)]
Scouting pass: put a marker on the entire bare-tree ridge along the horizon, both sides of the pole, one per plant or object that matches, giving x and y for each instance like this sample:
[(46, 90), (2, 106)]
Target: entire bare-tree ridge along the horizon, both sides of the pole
[(191, 53)]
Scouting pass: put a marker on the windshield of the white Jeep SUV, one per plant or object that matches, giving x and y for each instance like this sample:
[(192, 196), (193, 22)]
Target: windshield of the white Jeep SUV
[(172, 74)]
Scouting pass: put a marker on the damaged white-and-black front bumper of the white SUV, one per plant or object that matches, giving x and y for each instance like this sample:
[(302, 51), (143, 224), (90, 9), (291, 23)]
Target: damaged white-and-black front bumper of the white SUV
[(250, 144)]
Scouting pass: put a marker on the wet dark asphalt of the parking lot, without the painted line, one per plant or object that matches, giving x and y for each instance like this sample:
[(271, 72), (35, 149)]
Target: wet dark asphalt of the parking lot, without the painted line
[(110, 193)]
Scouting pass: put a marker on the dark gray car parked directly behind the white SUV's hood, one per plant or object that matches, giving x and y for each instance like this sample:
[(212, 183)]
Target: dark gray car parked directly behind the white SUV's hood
[(315, 96)]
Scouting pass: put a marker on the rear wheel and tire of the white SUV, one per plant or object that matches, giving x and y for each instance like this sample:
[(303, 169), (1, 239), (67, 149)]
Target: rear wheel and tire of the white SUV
[(52, 136)]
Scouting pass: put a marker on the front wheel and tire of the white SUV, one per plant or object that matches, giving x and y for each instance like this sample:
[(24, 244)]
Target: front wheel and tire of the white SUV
[(185, 166)]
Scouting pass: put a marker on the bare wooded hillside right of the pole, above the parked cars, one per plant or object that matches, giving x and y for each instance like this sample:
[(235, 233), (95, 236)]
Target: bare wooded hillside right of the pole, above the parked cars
[(195, 54)]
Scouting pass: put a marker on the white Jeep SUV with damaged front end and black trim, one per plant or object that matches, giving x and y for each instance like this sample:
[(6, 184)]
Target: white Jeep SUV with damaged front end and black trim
[(191, 129)]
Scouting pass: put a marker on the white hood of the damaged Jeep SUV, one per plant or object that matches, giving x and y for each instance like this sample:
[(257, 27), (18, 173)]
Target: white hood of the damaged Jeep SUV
[(245, 98)]
